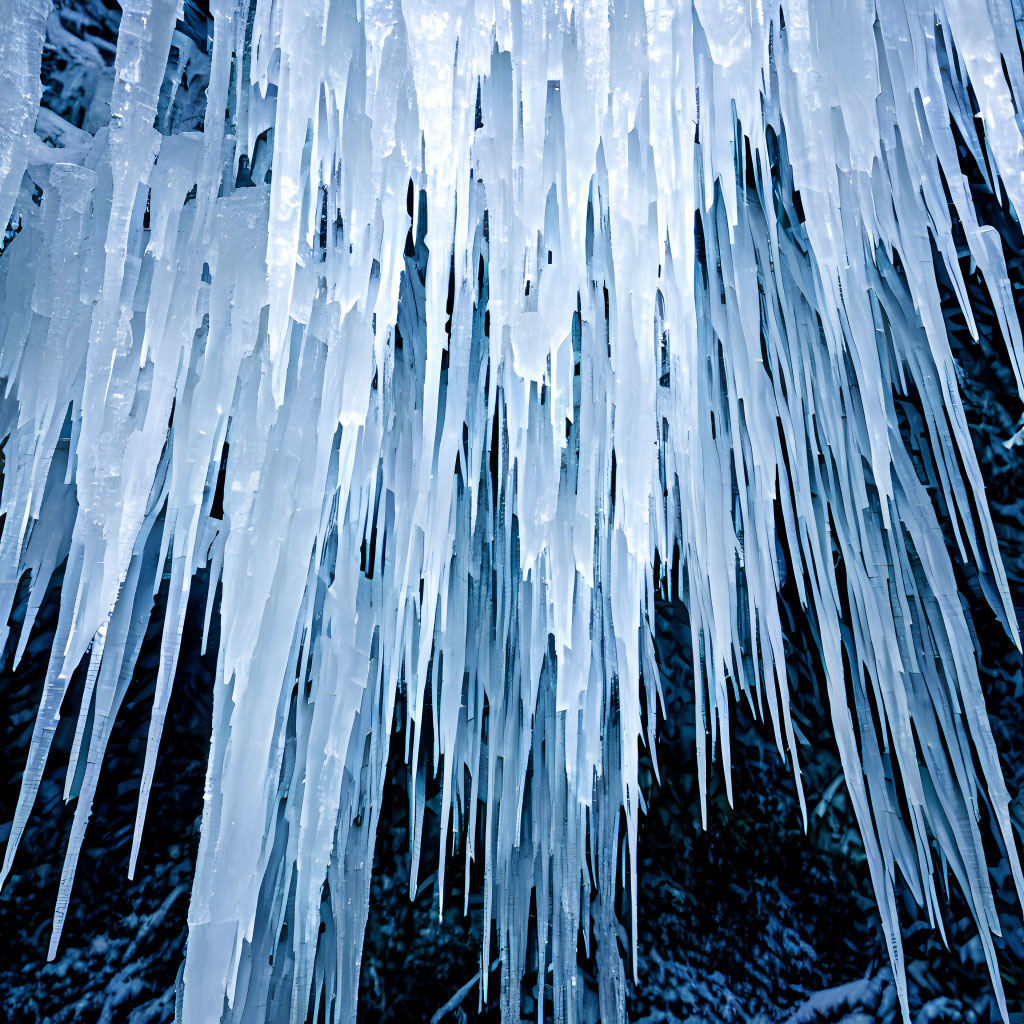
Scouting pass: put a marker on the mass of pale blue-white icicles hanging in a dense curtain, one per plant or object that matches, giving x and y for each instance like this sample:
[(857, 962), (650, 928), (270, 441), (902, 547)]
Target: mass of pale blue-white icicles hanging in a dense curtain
[(445, 335)]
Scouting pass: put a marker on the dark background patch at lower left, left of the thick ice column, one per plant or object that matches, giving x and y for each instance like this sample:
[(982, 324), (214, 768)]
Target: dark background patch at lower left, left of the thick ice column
[(122, 948)]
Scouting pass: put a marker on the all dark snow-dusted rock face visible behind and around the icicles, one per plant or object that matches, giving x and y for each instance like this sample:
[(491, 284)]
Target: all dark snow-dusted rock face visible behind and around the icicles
[(750, 920)]
